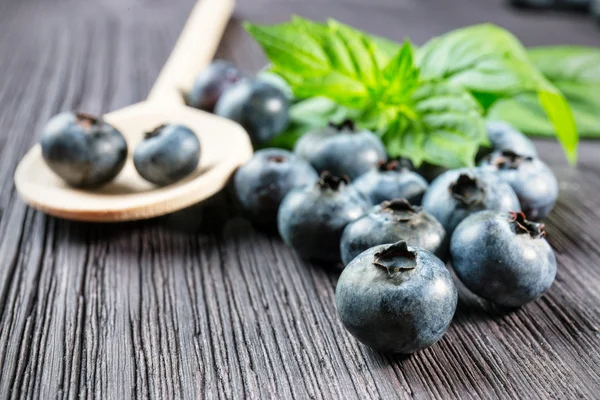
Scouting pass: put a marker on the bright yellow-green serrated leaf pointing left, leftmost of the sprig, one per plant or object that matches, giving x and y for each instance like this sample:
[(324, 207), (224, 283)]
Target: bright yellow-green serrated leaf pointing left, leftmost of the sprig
[(332, 60)]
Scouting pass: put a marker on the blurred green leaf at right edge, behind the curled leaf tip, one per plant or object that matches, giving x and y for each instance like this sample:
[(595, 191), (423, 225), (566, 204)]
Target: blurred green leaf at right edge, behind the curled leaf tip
[(575, 71)]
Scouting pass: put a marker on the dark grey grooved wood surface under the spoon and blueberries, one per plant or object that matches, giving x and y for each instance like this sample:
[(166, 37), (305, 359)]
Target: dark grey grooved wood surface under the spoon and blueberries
[(198, 304)]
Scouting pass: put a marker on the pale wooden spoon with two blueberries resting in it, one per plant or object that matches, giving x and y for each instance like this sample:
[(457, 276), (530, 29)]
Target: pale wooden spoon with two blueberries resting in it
[(224, 144)]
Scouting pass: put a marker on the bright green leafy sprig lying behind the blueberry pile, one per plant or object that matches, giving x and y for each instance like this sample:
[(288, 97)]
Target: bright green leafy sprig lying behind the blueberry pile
[(427, 104)]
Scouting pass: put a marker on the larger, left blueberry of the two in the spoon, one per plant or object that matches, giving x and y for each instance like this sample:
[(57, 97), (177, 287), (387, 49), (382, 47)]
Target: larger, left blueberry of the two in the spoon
[(83, 150)]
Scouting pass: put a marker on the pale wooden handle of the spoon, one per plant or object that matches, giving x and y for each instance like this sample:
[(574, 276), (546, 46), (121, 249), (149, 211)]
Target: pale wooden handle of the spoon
[(193, 51)]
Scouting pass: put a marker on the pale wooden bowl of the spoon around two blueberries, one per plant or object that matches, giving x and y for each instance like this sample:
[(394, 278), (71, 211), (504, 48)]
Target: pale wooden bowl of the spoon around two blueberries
[(224, 147)]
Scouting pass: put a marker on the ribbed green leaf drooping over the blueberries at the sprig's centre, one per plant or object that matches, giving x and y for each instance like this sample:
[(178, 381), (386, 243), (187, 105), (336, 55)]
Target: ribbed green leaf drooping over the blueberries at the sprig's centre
[(448, 131)]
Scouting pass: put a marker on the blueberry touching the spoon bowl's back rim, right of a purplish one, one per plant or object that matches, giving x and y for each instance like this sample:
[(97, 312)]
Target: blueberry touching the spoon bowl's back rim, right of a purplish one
[(261, 108)]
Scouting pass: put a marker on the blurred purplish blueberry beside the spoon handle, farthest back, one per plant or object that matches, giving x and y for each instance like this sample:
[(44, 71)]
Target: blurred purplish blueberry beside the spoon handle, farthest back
[(211, 83)]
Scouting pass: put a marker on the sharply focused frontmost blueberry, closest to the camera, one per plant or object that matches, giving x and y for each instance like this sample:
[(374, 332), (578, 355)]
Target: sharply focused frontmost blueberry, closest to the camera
[(396, 298)]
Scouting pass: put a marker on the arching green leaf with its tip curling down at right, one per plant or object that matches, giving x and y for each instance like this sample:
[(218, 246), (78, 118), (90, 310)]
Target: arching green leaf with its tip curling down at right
[(491, 63)]
